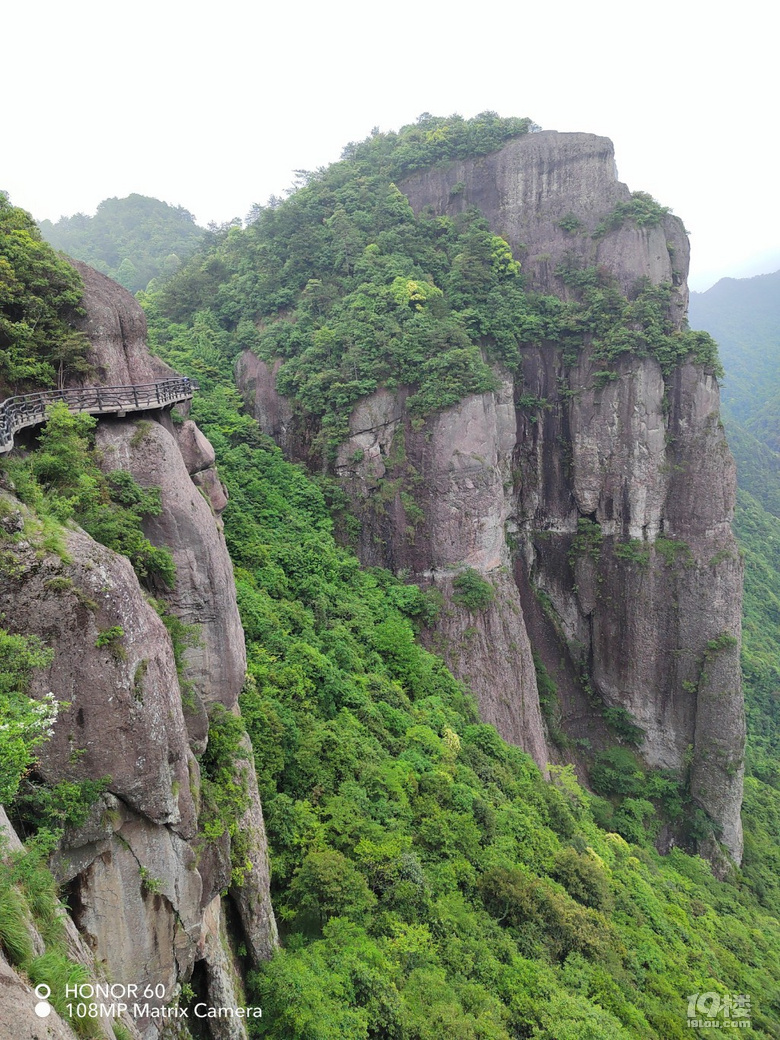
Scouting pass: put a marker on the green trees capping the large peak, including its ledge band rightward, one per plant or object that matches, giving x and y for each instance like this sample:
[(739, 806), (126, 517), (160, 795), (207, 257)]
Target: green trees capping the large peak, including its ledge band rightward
[(353, 291)]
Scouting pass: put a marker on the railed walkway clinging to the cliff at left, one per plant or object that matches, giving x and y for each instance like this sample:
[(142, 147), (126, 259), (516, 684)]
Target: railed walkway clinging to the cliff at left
[(29, 410)]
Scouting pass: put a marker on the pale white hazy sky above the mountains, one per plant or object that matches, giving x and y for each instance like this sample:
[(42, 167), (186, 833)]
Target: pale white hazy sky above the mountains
[(213, 107)]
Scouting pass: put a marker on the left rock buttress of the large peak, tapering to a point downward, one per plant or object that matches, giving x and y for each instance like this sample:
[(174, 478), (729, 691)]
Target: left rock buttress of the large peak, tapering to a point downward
[(458, 467)]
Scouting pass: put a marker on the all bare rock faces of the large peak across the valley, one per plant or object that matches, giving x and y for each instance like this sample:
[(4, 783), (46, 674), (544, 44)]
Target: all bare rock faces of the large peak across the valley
[(596, 505)]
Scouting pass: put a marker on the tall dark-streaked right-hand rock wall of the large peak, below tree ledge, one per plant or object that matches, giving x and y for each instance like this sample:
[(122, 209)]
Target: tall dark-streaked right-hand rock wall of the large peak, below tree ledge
[(638, 609)]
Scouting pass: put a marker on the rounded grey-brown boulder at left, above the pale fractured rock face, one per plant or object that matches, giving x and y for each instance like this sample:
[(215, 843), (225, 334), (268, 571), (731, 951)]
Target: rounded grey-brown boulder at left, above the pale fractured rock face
[(121, 714)]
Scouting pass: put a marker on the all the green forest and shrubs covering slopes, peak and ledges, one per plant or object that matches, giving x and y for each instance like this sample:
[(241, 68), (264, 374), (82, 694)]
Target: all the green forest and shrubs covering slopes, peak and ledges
[(428, 881)]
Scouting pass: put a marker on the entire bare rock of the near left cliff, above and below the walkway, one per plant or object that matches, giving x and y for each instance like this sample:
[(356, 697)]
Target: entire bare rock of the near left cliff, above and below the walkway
[(146, 886)]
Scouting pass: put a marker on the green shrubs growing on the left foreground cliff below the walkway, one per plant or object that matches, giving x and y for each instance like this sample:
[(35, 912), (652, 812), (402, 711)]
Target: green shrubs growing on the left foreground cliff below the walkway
[(61, 482)]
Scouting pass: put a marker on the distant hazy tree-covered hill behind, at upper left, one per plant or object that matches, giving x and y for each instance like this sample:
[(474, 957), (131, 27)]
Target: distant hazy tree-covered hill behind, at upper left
[(134, 241)]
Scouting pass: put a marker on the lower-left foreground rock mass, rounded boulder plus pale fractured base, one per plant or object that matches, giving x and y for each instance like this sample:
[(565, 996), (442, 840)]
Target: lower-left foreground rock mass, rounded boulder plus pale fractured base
[(132, 872)]
